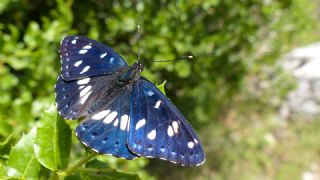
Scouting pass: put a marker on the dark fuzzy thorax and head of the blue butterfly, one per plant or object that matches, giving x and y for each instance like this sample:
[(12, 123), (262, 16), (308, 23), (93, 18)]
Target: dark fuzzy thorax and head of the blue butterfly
[(130, 74)]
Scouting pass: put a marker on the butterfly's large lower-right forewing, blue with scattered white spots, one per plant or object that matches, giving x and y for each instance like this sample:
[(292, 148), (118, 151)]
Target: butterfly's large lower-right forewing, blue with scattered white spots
[(159, 130)]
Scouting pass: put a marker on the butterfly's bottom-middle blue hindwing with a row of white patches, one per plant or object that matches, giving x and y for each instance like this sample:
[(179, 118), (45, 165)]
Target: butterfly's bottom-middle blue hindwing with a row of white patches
[(106, 131)]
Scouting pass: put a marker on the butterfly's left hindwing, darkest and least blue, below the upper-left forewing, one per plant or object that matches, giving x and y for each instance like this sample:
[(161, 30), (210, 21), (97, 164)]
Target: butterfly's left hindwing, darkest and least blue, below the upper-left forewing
[(77, 98)]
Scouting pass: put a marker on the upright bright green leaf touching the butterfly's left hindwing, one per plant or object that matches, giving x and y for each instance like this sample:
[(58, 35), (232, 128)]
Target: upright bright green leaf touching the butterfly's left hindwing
[(53, 141)]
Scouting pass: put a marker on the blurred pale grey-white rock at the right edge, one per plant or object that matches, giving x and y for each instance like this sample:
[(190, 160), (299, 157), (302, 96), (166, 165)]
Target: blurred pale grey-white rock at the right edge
[(304, 102)]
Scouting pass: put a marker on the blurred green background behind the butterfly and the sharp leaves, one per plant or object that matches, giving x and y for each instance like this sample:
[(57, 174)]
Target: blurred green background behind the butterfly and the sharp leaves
[(251, 93)]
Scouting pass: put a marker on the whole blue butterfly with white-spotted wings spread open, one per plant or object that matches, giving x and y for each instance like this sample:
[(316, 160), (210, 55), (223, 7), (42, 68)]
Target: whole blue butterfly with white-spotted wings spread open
[(124, 114)]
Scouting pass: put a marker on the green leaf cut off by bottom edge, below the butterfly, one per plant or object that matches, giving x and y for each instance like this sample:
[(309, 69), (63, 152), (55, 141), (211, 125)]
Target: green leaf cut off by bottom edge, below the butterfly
[(105, 173)]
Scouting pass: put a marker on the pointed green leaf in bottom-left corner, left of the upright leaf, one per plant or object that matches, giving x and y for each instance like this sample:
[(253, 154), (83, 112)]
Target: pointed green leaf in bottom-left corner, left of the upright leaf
[(22, 162)]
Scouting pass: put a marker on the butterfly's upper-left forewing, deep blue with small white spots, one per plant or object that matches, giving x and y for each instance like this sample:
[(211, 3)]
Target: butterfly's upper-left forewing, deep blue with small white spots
[(83, 57)]
